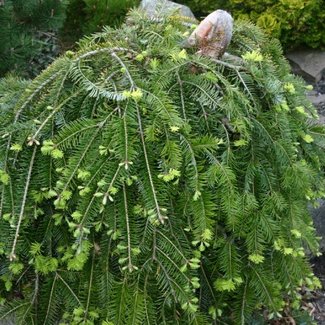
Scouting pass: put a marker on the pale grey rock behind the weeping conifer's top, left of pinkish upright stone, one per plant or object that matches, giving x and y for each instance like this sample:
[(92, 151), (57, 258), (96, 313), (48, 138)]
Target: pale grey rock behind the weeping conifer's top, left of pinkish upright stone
[(156, 8)]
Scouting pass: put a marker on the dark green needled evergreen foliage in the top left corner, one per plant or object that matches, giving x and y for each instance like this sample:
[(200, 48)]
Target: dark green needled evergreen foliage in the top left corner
[(27, 34)]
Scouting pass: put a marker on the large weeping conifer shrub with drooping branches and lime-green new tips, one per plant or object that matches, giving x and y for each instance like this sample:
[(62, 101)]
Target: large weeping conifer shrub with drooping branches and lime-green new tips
[(142, 183)]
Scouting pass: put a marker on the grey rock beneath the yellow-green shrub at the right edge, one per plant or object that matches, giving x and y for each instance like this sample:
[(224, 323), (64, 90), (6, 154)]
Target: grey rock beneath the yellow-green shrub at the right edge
[(310, 64)]
